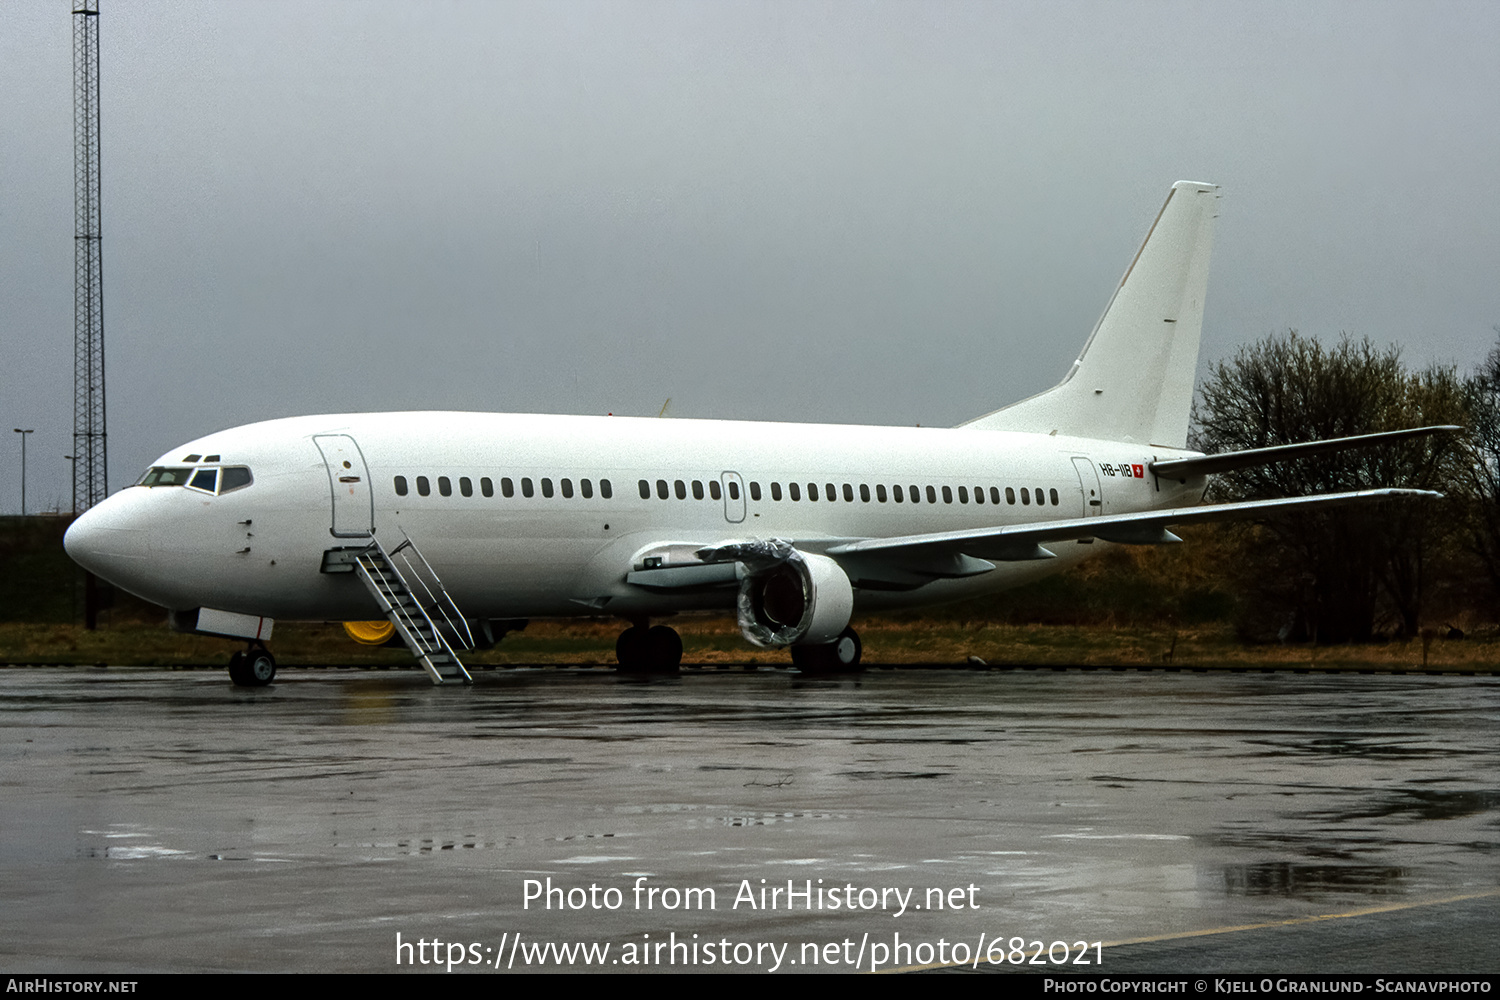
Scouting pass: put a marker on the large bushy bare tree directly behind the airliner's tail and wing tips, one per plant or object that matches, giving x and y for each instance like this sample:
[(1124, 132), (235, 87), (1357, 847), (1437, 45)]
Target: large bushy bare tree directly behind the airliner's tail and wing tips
[(1333, 575)]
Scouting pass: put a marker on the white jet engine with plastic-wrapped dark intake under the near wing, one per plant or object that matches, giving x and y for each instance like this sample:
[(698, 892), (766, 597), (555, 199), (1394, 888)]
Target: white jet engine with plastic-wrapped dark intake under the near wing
[(803, 599)]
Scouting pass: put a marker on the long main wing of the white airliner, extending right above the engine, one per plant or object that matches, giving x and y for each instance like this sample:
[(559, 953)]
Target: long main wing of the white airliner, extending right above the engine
[(1016, 543)]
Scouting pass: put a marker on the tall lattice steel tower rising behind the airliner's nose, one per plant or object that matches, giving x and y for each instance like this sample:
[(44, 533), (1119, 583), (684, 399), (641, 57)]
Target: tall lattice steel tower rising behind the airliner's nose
[(91, 476)]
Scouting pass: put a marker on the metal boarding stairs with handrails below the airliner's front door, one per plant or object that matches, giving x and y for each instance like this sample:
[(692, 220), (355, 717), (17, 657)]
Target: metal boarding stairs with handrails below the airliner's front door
[(419, 606)]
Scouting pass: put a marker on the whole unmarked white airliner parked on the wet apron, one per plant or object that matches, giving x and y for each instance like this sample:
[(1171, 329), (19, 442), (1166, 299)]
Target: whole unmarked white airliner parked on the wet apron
[(448, 528)]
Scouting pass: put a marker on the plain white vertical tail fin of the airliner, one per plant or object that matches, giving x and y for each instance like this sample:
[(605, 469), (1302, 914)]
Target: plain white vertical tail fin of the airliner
[(1135, 379)]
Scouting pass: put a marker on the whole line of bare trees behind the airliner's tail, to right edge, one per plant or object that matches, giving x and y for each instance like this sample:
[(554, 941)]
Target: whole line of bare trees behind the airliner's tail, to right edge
[(1355, 573)]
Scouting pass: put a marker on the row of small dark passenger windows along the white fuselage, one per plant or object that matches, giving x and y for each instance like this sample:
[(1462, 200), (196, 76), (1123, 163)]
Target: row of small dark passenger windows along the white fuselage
[(682, 490)]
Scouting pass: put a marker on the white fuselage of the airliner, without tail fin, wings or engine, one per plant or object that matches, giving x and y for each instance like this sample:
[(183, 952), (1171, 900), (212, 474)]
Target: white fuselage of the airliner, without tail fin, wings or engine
[(512, 510)]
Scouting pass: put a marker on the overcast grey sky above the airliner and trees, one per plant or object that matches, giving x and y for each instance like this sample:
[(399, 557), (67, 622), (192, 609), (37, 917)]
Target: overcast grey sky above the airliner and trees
[(847, 212)]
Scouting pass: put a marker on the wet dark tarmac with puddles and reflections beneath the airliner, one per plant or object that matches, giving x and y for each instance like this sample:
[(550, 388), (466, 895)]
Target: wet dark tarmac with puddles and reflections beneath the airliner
[(157, 821)]
